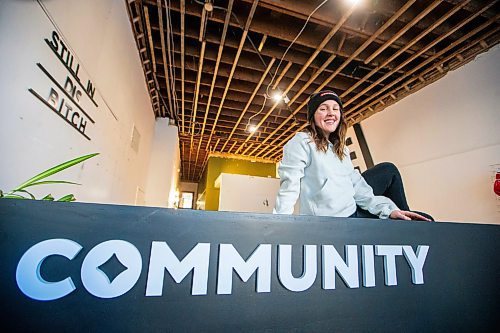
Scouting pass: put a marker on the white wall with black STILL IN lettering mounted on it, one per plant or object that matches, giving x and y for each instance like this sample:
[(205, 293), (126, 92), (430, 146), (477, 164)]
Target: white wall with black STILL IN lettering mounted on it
[(34, 138)]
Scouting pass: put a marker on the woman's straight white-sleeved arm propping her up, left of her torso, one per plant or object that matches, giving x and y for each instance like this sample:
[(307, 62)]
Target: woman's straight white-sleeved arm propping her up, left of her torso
[(291, 170)]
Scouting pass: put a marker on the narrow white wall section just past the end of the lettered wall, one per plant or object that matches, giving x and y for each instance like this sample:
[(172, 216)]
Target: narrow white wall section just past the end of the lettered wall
[(163, 172)]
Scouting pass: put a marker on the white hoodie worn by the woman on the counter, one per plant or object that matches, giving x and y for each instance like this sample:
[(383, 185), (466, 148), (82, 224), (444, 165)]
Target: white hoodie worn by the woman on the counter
[(327, 186)]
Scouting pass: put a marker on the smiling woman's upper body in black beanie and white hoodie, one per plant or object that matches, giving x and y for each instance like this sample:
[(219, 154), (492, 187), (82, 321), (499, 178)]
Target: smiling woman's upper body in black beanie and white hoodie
[(316, 165)]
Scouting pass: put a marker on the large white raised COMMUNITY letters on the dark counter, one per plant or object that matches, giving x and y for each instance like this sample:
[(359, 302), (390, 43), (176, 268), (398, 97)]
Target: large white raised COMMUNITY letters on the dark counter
[(162, 259)]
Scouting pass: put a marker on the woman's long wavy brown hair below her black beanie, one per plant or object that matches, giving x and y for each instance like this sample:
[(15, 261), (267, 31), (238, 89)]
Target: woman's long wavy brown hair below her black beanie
[(337, 138)]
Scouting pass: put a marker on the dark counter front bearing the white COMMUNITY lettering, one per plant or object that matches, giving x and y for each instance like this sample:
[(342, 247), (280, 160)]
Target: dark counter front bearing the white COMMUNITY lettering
[(89, 267)]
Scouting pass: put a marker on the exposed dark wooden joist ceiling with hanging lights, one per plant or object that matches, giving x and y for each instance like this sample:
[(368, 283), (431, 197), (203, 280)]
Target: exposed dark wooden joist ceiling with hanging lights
[(235, 76)]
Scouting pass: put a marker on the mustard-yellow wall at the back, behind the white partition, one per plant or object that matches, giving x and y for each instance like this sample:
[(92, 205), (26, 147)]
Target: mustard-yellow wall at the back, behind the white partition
[(218, 165)]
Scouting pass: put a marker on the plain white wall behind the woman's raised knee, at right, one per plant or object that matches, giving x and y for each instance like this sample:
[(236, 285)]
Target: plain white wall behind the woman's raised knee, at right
[(445, 139)]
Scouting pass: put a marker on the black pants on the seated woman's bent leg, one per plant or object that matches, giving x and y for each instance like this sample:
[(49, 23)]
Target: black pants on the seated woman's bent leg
[(386, 180)]
